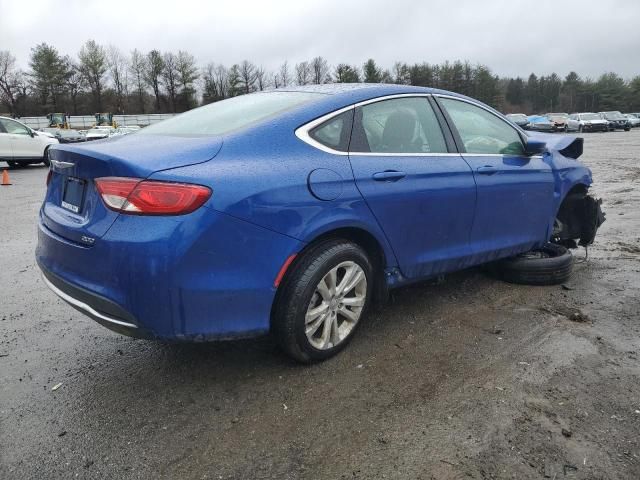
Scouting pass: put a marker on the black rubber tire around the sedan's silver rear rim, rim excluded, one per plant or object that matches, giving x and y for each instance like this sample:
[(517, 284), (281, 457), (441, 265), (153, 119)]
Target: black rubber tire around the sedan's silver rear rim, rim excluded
[(297, 289)]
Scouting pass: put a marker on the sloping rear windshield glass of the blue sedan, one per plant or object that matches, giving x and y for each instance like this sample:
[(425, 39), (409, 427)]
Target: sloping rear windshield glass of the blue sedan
[(232, 114)]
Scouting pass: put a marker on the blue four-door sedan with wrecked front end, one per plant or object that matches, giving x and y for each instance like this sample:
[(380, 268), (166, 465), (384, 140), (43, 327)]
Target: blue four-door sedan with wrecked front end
[(290, 211)]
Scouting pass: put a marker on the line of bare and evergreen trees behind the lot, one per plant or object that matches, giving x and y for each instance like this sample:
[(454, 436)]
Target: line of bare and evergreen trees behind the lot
[(103, 78)]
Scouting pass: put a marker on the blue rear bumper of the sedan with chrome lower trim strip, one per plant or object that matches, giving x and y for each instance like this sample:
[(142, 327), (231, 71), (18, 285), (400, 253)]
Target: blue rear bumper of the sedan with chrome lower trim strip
[(204, 276)]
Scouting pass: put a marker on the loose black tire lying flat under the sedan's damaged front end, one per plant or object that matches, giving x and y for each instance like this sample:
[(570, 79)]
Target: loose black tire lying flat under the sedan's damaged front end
[(550, 265)]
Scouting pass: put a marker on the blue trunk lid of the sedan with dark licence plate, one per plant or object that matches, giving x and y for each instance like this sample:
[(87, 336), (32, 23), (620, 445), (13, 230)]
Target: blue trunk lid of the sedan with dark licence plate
[(73, 208)]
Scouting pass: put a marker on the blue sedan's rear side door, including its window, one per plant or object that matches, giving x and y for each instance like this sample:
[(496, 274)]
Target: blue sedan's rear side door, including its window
[(421, 192)]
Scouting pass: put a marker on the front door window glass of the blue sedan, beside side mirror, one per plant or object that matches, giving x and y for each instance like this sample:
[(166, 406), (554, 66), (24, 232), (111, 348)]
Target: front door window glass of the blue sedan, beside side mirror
[(481, 131)]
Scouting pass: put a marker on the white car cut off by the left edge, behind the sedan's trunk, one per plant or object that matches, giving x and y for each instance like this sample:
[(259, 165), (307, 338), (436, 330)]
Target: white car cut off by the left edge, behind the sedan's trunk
[(21, 145)]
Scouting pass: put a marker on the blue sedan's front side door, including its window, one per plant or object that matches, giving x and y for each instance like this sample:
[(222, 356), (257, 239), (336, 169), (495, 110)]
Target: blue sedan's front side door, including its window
[(515, 191)]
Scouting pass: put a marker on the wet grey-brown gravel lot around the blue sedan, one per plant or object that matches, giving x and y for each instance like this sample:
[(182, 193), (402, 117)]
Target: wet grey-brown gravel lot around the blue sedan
[(466, 378)]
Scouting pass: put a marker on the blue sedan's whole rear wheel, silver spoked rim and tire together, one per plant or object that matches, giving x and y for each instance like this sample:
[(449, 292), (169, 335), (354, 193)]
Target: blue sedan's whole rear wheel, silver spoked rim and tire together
[(323, 300)]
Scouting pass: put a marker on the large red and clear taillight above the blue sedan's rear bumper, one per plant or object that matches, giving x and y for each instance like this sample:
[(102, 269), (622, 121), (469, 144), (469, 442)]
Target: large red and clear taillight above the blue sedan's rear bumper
[(149, 197)]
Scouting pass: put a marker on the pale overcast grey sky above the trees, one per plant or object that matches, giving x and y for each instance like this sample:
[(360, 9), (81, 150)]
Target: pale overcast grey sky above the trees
[(512, 37)]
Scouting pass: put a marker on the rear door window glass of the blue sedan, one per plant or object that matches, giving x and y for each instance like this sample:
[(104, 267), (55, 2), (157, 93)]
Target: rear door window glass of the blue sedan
[(401, 125)]
